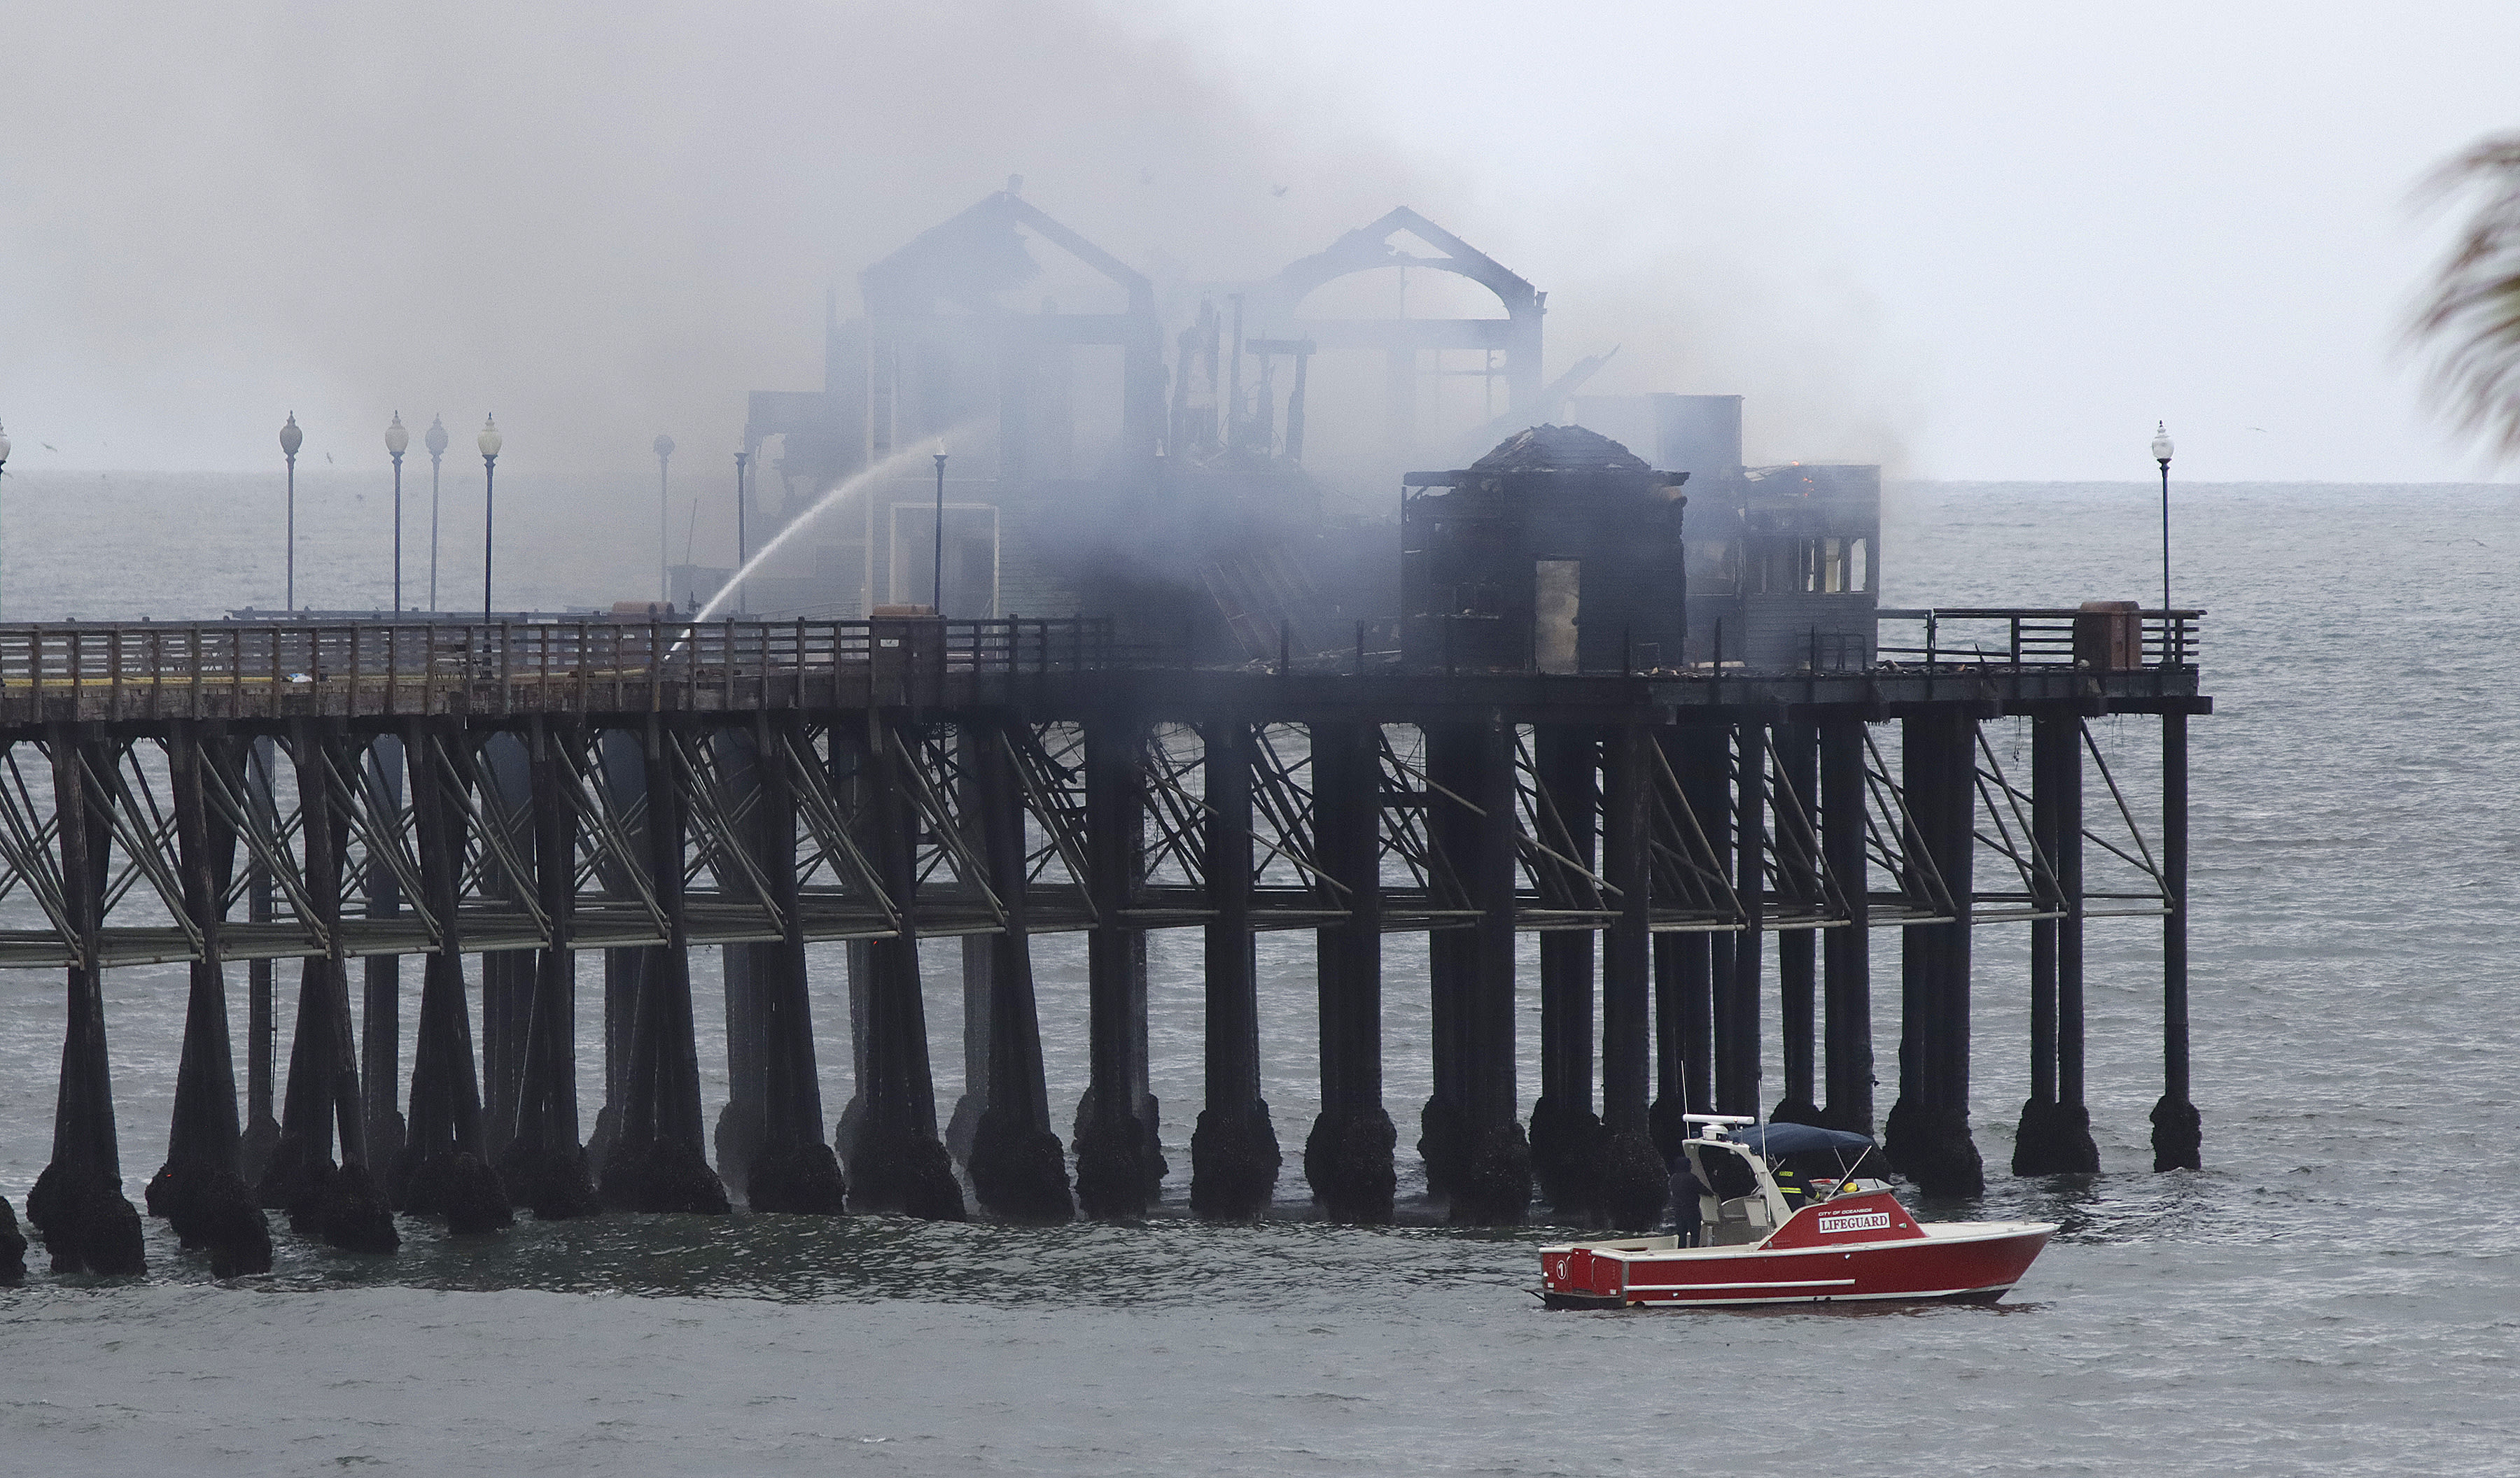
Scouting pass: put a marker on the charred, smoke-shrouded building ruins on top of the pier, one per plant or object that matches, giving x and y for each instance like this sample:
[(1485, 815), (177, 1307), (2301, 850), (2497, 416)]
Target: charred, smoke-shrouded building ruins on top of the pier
[(1135, 447)]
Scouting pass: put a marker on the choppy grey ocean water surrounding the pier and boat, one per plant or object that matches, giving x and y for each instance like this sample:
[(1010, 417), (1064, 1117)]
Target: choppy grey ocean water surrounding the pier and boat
[(2337, 1293)]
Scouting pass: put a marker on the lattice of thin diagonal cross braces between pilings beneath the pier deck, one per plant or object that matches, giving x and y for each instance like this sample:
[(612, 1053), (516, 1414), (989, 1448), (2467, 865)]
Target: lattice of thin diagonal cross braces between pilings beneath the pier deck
[(840, 898)]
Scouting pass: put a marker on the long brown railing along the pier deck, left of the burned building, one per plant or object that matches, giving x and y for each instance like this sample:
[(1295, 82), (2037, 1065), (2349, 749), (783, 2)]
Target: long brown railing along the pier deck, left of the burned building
[(593, 663)]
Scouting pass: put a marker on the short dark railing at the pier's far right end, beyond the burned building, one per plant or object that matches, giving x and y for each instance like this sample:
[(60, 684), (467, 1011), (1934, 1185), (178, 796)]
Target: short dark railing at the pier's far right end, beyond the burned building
[(2108, 641)]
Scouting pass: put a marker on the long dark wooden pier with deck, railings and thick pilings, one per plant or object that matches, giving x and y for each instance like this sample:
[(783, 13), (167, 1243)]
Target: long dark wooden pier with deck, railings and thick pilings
[(513, 794)]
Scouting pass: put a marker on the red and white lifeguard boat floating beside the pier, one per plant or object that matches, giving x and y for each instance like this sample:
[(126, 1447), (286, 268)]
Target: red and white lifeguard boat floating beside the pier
[(1763, 1238)]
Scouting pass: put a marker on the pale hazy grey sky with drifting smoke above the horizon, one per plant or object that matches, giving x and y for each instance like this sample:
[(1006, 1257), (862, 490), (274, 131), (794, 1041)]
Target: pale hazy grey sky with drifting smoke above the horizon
[(1972, 240)]
